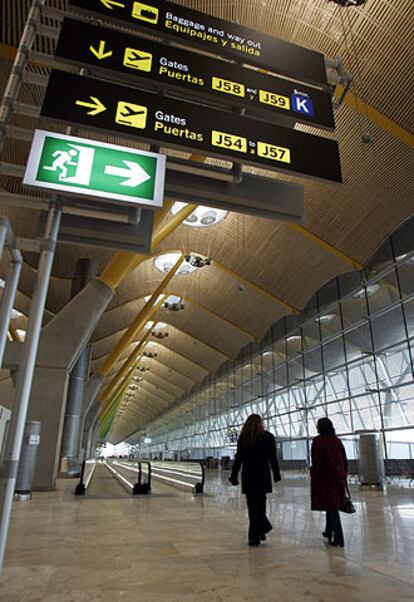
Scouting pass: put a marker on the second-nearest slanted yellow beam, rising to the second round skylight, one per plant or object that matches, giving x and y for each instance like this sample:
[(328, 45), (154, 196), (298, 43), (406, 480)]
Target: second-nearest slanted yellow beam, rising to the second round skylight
[(142, 318)]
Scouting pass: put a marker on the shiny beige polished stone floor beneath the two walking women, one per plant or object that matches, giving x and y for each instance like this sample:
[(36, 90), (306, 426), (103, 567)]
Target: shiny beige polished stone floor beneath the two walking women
[(172, 547)]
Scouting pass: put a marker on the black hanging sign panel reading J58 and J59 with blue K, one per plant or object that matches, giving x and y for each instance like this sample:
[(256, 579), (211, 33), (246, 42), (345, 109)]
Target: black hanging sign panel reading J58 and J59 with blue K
[(142, 60)]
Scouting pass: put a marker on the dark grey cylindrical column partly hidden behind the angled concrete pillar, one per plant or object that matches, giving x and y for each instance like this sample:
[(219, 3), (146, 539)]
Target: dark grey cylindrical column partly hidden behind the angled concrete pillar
[(69, 454)]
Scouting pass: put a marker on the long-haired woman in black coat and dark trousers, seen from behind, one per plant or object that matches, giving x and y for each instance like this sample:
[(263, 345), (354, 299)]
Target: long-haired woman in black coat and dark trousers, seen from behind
[(256, 456)]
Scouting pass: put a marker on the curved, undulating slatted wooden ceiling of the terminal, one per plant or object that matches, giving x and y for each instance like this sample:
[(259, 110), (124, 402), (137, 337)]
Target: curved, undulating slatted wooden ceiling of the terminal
[(262, 269)]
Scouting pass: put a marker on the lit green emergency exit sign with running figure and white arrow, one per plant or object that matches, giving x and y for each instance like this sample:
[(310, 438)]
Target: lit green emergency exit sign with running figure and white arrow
[(86, 167)]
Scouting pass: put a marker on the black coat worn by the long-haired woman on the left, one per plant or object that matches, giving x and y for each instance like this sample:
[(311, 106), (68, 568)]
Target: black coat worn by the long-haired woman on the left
[(256, 461)]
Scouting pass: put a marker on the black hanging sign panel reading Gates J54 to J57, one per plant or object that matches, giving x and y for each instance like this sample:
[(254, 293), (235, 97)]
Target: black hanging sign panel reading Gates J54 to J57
[(184, 125)]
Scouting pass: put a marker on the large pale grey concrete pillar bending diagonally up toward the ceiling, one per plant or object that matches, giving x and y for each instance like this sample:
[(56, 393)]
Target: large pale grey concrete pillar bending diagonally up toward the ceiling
[(62, 341)]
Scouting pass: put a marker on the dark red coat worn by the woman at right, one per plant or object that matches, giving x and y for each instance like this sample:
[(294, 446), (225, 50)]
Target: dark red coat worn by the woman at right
[(328, 473)]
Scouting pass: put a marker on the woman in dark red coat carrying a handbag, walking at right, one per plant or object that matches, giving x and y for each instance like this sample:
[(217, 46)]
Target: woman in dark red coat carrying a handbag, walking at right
[(328, 477)]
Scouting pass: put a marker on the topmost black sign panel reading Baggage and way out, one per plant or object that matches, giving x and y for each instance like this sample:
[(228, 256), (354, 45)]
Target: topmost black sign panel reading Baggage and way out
[(212, 34)]
